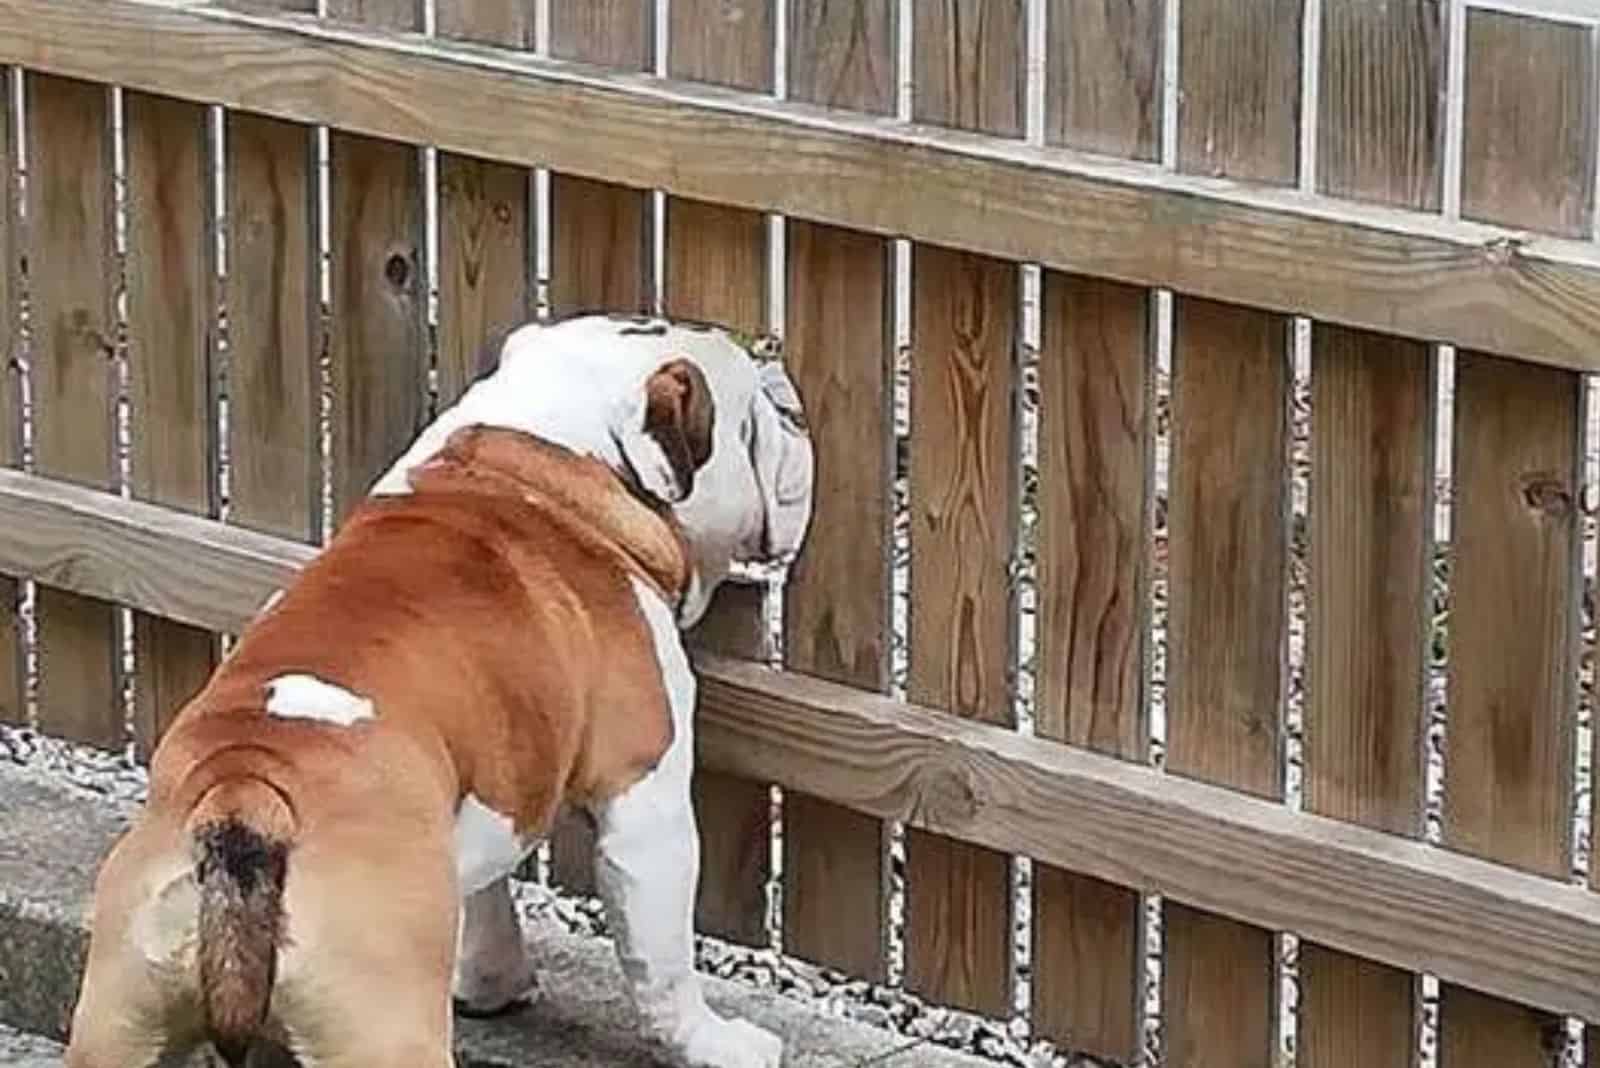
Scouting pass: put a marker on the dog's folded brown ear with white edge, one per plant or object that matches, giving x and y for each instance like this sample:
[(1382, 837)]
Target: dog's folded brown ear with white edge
[(676, 436)]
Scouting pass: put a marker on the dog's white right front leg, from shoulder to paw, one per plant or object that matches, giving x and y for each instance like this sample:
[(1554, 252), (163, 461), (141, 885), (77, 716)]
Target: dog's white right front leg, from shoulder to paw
[(647, 866)]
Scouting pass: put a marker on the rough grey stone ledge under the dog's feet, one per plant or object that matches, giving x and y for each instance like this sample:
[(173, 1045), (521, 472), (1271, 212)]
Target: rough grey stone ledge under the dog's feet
[(54, 839)]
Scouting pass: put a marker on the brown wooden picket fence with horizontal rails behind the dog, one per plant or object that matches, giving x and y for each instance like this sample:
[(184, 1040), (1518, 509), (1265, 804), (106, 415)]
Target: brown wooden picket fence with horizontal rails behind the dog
[(1198, 181)]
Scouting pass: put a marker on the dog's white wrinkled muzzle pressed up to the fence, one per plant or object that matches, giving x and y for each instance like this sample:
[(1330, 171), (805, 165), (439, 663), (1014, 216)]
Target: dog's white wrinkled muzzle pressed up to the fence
[(785, 463)]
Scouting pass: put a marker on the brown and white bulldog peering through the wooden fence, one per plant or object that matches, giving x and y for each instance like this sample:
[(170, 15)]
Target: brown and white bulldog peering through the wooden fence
[(492, 636)]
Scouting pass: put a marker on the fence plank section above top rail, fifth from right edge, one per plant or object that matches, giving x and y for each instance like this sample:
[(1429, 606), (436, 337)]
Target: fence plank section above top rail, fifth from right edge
[(969, 65)]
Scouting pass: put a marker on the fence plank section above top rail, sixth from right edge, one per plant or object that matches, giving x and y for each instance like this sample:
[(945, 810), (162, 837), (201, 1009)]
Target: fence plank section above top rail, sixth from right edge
[(844, 55)]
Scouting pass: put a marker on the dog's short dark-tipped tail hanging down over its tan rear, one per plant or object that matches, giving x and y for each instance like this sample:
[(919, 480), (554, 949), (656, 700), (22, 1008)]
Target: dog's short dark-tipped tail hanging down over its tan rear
[(242, 831)]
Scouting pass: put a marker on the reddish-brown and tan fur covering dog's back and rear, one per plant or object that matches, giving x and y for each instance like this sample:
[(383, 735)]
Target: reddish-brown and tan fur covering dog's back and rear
[(490, 620)]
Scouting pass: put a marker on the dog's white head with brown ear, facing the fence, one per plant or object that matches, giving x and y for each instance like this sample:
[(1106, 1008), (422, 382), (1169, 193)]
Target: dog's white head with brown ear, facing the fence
[(700, 423)]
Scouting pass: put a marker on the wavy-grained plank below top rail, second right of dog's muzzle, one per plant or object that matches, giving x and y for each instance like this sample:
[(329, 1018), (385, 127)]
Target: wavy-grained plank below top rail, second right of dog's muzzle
[(964, 337)]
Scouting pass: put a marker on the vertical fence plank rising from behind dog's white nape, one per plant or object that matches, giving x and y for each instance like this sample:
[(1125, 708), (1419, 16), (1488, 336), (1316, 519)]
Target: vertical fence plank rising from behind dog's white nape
[(484, 260)]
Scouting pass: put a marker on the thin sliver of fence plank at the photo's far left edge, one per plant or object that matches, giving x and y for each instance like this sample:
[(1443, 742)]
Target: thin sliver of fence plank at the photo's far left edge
[(14, 706)]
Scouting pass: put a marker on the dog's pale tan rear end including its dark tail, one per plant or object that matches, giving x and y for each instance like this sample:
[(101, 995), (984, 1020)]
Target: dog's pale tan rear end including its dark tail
[(222, 919)]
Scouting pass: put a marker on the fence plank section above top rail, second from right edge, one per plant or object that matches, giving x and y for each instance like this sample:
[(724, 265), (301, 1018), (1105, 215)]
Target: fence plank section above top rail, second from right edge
[(1380, 135)]
